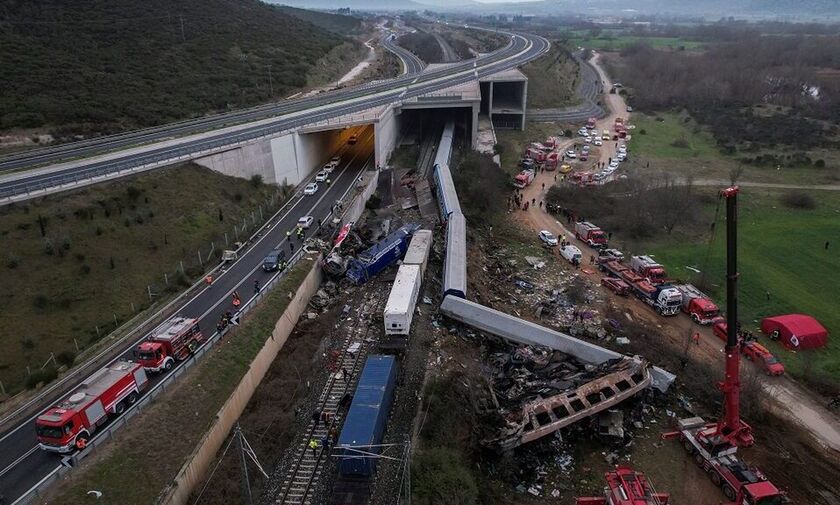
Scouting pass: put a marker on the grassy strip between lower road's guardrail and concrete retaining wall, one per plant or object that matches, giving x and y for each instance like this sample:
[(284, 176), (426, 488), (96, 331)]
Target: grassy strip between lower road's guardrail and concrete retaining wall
[(137, 455)]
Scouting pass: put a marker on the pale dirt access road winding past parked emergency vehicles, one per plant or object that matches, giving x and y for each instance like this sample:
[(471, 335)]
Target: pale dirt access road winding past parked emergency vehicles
[(784, 395)]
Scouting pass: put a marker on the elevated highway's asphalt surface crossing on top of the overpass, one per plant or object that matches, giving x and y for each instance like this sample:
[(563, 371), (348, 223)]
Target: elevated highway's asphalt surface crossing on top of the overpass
[(289, 115)]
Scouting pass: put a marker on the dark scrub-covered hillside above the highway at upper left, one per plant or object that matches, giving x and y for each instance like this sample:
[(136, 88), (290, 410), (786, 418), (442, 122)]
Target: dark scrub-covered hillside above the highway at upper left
[(92, 66)]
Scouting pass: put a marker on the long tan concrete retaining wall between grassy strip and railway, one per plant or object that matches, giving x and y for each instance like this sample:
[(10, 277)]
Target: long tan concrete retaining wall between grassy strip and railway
[(195, 470)]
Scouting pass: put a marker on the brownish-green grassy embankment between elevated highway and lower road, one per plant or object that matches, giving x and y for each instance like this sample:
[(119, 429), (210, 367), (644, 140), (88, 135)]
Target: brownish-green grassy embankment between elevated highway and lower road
[(100, 249)]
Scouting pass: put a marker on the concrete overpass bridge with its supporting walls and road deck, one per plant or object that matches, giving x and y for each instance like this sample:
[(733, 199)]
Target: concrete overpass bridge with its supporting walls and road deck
[(285, 142)]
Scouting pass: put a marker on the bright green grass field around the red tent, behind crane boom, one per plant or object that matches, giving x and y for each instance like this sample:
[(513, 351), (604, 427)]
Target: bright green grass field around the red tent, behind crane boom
[(781, 251)]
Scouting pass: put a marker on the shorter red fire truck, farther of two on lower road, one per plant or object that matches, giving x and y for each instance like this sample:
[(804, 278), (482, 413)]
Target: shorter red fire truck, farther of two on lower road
[(172, 341)]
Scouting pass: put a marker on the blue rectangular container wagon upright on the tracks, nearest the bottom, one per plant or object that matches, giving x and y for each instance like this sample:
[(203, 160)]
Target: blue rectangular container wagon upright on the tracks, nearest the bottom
[(367, 417)]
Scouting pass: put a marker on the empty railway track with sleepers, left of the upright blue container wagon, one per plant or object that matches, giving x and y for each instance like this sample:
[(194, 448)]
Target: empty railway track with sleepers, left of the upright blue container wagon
[(301, 478)]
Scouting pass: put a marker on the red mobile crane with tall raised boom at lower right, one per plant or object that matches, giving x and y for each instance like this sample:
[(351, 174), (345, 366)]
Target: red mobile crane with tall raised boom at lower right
[(714, 445)]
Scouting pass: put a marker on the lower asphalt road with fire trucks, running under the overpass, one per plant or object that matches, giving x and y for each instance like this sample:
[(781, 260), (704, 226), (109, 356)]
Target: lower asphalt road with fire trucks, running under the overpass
[(23, 464)]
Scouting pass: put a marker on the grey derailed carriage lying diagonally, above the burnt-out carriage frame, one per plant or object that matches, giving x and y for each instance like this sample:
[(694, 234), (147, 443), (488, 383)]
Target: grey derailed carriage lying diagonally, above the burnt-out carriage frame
[(525, 332)]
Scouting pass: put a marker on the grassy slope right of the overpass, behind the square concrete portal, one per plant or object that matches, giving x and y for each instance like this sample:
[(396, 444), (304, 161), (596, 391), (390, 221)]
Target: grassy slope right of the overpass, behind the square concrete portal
[(552, 80)]
